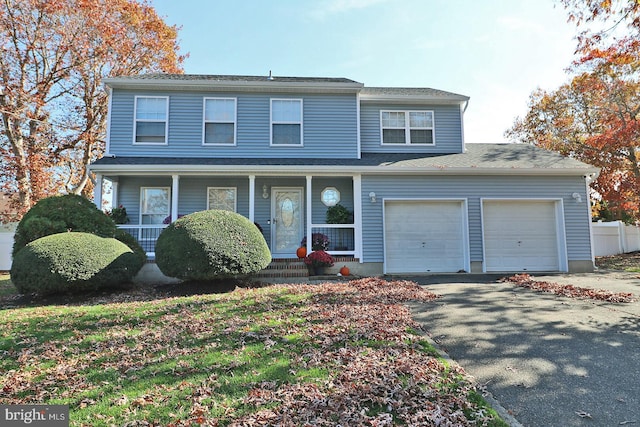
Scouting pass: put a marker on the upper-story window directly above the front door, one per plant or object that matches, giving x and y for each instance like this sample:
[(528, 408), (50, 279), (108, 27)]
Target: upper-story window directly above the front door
[(286, 122)]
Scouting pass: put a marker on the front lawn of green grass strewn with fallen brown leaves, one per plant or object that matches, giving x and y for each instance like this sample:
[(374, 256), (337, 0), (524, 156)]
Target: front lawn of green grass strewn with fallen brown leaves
[(339, 353)]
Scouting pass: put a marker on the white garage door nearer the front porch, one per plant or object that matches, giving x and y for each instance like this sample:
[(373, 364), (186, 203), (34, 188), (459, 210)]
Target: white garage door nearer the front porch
[(424, 236)]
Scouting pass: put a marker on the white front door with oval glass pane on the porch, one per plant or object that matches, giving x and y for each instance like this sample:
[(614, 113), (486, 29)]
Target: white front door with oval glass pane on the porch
[(287, 225)]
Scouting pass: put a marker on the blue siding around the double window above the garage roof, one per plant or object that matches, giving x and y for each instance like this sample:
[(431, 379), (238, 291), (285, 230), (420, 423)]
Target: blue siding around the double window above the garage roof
[(447, 123)]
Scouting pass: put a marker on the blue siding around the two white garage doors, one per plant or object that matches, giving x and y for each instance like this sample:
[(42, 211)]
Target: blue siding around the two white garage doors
[(576, 215)]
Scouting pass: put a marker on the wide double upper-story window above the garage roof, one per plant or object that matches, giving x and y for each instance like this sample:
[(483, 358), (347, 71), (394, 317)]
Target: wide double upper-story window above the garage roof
[(407, 127)]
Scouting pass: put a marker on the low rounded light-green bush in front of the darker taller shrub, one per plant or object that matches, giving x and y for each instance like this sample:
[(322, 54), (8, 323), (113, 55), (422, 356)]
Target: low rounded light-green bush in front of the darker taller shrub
[(71, 262)]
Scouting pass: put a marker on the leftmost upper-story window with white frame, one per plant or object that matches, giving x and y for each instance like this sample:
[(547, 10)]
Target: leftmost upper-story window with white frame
[(151, 114)]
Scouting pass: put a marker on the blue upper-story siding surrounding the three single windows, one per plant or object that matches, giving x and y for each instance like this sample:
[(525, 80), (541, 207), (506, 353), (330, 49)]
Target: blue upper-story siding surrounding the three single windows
[(329, 126)]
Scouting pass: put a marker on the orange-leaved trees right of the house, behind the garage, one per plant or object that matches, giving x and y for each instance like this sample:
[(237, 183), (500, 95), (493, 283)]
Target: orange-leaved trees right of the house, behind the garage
[(596, 116)]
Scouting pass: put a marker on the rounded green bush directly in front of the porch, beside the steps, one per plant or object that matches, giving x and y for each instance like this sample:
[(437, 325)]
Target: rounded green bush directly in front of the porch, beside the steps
[(211, 245)]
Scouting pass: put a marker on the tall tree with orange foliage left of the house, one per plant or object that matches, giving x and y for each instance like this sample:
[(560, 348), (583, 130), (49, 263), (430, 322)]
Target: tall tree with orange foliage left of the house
[(53, 108)]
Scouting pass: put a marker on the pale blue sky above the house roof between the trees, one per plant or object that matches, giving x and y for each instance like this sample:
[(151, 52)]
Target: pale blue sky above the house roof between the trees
[(495, 51)]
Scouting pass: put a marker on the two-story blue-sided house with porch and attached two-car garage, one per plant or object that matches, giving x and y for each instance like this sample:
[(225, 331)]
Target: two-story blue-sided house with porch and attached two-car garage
[(282, 150)]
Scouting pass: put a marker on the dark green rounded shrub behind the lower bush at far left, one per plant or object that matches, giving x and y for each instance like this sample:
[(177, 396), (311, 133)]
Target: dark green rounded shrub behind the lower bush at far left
[(59, 214)]
